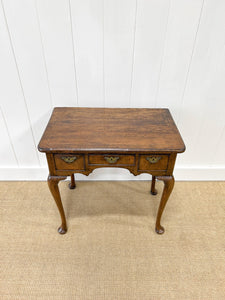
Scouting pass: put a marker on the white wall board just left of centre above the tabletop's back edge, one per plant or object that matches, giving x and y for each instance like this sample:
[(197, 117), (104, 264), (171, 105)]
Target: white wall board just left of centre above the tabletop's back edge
[(87, 27)]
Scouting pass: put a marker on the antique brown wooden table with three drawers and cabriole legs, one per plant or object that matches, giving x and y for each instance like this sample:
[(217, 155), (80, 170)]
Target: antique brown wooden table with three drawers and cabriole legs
[(79, 140)]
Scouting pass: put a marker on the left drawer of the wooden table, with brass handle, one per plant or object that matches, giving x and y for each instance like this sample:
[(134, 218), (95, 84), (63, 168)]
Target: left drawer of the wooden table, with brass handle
[(69, 161)]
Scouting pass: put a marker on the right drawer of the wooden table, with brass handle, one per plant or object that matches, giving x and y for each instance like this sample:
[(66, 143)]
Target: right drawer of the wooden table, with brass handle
[(153, 162)]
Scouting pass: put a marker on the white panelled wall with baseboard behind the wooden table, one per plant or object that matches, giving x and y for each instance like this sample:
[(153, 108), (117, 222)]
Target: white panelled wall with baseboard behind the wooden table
[(112, 53)]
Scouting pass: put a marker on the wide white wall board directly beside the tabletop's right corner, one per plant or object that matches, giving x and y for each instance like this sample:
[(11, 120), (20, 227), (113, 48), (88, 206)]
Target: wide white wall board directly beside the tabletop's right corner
[(202, 119)]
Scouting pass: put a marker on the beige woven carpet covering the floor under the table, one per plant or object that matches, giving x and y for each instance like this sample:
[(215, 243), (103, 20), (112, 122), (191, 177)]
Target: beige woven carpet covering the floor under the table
[(111, 250)]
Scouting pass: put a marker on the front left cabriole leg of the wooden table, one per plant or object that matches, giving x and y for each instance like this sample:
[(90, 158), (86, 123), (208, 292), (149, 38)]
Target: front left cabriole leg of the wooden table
[(53, 186)]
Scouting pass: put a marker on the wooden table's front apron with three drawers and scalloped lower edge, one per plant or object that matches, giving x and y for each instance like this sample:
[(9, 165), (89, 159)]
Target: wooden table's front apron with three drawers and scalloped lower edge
[(156, 164)]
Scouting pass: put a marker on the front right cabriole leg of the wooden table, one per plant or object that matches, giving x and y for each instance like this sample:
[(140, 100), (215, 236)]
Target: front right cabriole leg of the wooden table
[(168, 187)]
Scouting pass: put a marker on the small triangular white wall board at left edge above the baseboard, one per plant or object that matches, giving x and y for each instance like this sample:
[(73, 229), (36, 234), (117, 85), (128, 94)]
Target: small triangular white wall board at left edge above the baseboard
[(7, 156)]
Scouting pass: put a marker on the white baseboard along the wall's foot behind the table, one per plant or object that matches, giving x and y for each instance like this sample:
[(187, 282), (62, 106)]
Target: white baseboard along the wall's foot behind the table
[(190, 173)]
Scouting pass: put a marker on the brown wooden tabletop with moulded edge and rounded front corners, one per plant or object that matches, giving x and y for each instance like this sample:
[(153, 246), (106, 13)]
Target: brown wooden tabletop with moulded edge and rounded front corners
[(73, 129)]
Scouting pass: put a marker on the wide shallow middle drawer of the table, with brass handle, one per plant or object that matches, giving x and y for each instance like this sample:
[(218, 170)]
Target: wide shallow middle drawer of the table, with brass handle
[(111, 159)]
